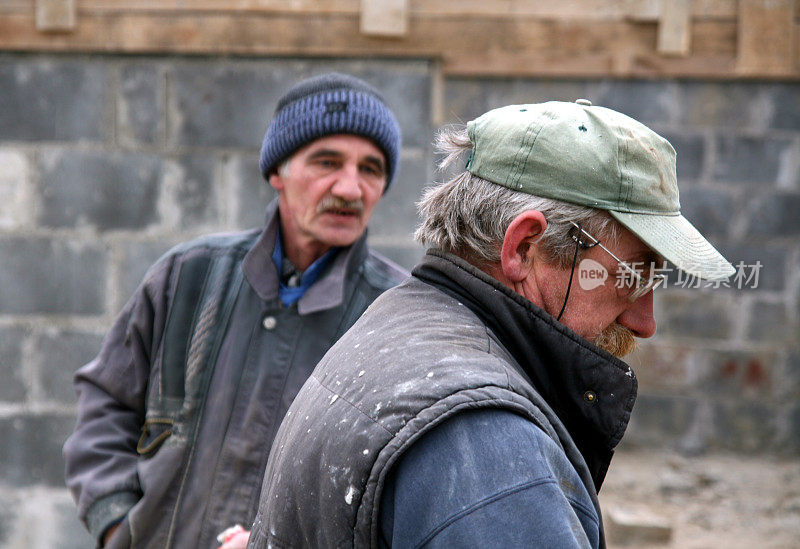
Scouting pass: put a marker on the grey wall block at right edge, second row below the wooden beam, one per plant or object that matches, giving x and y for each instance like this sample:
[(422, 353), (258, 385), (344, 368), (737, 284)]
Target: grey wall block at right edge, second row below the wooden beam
[(748, 159)]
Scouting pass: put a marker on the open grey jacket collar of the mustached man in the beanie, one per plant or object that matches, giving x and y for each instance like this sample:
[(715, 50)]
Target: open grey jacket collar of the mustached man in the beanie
[(329, 289)]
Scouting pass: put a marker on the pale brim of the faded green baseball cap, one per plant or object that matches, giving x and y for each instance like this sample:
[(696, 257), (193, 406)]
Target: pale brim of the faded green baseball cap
[(676, 240)]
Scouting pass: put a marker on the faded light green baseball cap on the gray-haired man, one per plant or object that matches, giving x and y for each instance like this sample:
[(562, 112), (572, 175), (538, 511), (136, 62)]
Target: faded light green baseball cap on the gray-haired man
[(596, 157)]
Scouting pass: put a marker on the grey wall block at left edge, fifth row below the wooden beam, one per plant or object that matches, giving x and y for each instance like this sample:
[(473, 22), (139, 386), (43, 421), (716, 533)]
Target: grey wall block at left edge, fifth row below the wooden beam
[(31, 449)]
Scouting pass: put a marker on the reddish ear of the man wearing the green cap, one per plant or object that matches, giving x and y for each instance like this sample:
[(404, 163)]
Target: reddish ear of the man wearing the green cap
[(519, 244)]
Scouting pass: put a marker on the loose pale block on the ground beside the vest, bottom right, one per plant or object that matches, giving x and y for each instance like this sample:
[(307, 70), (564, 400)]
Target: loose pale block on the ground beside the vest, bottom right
[(636, 527)]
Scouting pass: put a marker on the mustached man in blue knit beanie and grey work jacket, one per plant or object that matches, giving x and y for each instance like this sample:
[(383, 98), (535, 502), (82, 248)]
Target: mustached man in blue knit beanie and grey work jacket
[(178, 411)]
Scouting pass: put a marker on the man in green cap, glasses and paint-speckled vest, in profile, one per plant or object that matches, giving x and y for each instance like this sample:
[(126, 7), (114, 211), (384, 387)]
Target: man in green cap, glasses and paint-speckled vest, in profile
[(478, 403)]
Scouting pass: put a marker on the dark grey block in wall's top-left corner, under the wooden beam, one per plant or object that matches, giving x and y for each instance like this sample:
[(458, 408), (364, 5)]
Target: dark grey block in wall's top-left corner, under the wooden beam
[(52, 98)]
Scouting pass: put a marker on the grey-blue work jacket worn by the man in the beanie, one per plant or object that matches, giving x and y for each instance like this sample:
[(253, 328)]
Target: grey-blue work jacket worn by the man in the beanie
[(207, 474)]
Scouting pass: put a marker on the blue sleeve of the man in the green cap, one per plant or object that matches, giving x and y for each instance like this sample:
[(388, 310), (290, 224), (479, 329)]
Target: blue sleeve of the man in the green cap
[(479, 469)]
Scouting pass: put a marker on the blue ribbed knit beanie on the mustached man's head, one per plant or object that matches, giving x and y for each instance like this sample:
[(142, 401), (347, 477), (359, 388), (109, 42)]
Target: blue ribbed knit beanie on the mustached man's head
[(330, 104)]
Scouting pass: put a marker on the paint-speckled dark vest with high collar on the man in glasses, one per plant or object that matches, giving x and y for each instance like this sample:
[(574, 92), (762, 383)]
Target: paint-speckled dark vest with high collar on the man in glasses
[(448, 340)]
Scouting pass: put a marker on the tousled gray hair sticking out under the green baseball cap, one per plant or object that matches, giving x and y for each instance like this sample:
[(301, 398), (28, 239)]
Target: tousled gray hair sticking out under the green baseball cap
[(468, 216)]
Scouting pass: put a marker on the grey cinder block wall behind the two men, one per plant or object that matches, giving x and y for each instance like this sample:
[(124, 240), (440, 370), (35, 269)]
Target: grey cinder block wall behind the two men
[(106, 161)]
